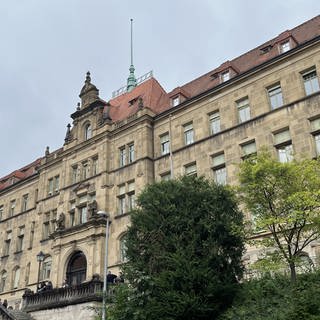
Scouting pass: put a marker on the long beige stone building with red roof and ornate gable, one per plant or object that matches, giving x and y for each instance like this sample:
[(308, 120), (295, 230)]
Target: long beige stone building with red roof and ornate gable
[(268, 96)]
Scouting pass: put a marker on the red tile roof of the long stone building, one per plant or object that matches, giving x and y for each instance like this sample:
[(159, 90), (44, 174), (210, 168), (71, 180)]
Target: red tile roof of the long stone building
[(155, 98)]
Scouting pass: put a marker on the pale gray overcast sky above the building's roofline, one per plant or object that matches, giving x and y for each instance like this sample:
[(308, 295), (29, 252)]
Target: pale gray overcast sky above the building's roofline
[(49, 45)]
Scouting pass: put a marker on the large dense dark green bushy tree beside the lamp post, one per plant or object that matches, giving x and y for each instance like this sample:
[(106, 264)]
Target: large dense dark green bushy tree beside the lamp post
[(184, 249)]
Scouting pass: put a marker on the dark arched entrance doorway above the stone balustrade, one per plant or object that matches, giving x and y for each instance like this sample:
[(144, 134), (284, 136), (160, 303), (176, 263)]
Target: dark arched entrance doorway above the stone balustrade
[(77, 269)]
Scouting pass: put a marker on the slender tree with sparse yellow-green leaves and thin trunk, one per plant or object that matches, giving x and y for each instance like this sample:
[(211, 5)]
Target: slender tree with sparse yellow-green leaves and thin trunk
[(284, 199)]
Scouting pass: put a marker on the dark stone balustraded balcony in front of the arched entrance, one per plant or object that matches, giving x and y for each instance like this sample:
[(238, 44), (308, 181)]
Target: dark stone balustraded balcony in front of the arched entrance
[(61, 297)]
